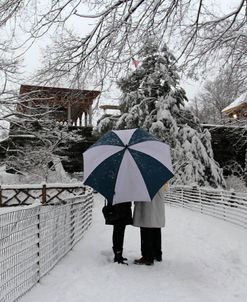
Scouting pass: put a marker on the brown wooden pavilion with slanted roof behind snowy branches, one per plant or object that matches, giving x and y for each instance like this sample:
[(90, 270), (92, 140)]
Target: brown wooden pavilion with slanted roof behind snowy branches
[(64, 104)]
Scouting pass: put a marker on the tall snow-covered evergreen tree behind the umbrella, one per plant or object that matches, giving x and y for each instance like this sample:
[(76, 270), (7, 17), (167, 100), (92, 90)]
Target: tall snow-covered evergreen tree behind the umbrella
[(152, 99)]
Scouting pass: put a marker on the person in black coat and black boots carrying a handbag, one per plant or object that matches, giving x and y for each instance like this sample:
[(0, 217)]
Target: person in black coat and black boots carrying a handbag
[(121, 216)]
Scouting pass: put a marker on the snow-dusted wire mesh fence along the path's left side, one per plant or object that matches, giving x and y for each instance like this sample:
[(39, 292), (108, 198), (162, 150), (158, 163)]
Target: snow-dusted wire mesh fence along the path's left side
[(34, 238)]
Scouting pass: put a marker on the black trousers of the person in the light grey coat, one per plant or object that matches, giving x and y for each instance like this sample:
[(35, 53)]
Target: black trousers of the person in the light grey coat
[(151, 243)]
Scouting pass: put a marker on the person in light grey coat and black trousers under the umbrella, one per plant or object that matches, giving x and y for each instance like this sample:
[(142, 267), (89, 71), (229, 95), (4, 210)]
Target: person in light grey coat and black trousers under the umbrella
[(150, 217)]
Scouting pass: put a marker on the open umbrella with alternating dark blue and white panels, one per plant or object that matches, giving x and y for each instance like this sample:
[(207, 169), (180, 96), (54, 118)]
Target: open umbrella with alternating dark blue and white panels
[(127, 165)]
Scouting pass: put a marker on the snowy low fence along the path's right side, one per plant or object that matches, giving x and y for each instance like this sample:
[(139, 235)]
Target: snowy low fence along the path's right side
[(227, 205)]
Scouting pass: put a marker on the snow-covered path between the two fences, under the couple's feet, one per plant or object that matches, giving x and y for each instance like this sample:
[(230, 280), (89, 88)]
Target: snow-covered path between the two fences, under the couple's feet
[(205, 260)]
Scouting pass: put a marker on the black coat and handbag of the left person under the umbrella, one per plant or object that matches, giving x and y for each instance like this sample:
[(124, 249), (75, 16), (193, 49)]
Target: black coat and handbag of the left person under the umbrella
[(122, 212)]
